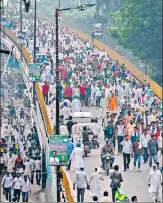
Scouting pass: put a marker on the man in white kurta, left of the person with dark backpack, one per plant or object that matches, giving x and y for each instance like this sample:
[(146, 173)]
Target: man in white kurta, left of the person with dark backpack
[(95, 183)]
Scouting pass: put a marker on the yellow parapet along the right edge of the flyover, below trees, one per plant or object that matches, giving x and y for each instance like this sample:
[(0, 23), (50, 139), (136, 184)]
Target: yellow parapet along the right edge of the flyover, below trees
[(134, 71)]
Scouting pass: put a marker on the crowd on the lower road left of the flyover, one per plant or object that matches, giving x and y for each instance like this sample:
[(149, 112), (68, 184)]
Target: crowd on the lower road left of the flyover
[(20, 154)]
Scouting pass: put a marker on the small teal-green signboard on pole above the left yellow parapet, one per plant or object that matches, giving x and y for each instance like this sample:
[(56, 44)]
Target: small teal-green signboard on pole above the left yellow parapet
[(35, 71)]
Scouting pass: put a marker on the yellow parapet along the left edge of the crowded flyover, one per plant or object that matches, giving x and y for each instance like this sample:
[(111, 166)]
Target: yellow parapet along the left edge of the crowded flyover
[(66, 181)]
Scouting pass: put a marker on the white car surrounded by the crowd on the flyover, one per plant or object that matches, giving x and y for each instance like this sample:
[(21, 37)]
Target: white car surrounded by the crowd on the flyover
[(82, 118)]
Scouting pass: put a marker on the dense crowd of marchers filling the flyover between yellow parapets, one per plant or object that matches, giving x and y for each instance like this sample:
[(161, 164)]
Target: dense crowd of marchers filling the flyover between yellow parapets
[(130, 112)]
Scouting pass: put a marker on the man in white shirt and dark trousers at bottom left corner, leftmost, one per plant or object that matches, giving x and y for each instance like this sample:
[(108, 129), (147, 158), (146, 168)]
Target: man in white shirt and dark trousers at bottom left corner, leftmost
[(7, 183)]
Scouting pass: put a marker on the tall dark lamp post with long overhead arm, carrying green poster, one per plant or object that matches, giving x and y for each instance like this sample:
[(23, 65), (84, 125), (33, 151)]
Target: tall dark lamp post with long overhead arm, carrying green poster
[(80, 8)]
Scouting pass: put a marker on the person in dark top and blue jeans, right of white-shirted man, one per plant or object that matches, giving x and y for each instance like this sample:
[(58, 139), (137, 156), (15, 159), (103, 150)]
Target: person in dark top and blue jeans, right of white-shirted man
[(137, 153)]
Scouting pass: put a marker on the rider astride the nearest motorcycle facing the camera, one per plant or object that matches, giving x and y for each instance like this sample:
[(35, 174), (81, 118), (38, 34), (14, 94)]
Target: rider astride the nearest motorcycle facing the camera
[(108, 148)]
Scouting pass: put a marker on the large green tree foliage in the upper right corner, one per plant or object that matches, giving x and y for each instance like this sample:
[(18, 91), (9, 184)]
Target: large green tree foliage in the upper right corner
[(139, 27)]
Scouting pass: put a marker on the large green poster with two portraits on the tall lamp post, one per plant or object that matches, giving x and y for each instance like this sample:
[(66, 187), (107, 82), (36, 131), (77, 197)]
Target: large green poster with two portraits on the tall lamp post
[(58, 150)]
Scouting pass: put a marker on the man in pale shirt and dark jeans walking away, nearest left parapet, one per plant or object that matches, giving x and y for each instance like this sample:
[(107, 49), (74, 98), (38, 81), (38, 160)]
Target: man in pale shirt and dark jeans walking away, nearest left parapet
[(81, 183)]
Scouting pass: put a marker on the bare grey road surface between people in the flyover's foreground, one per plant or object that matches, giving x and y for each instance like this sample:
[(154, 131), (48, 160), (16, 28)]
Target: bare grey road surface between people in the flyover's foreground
[(135, 183)]
